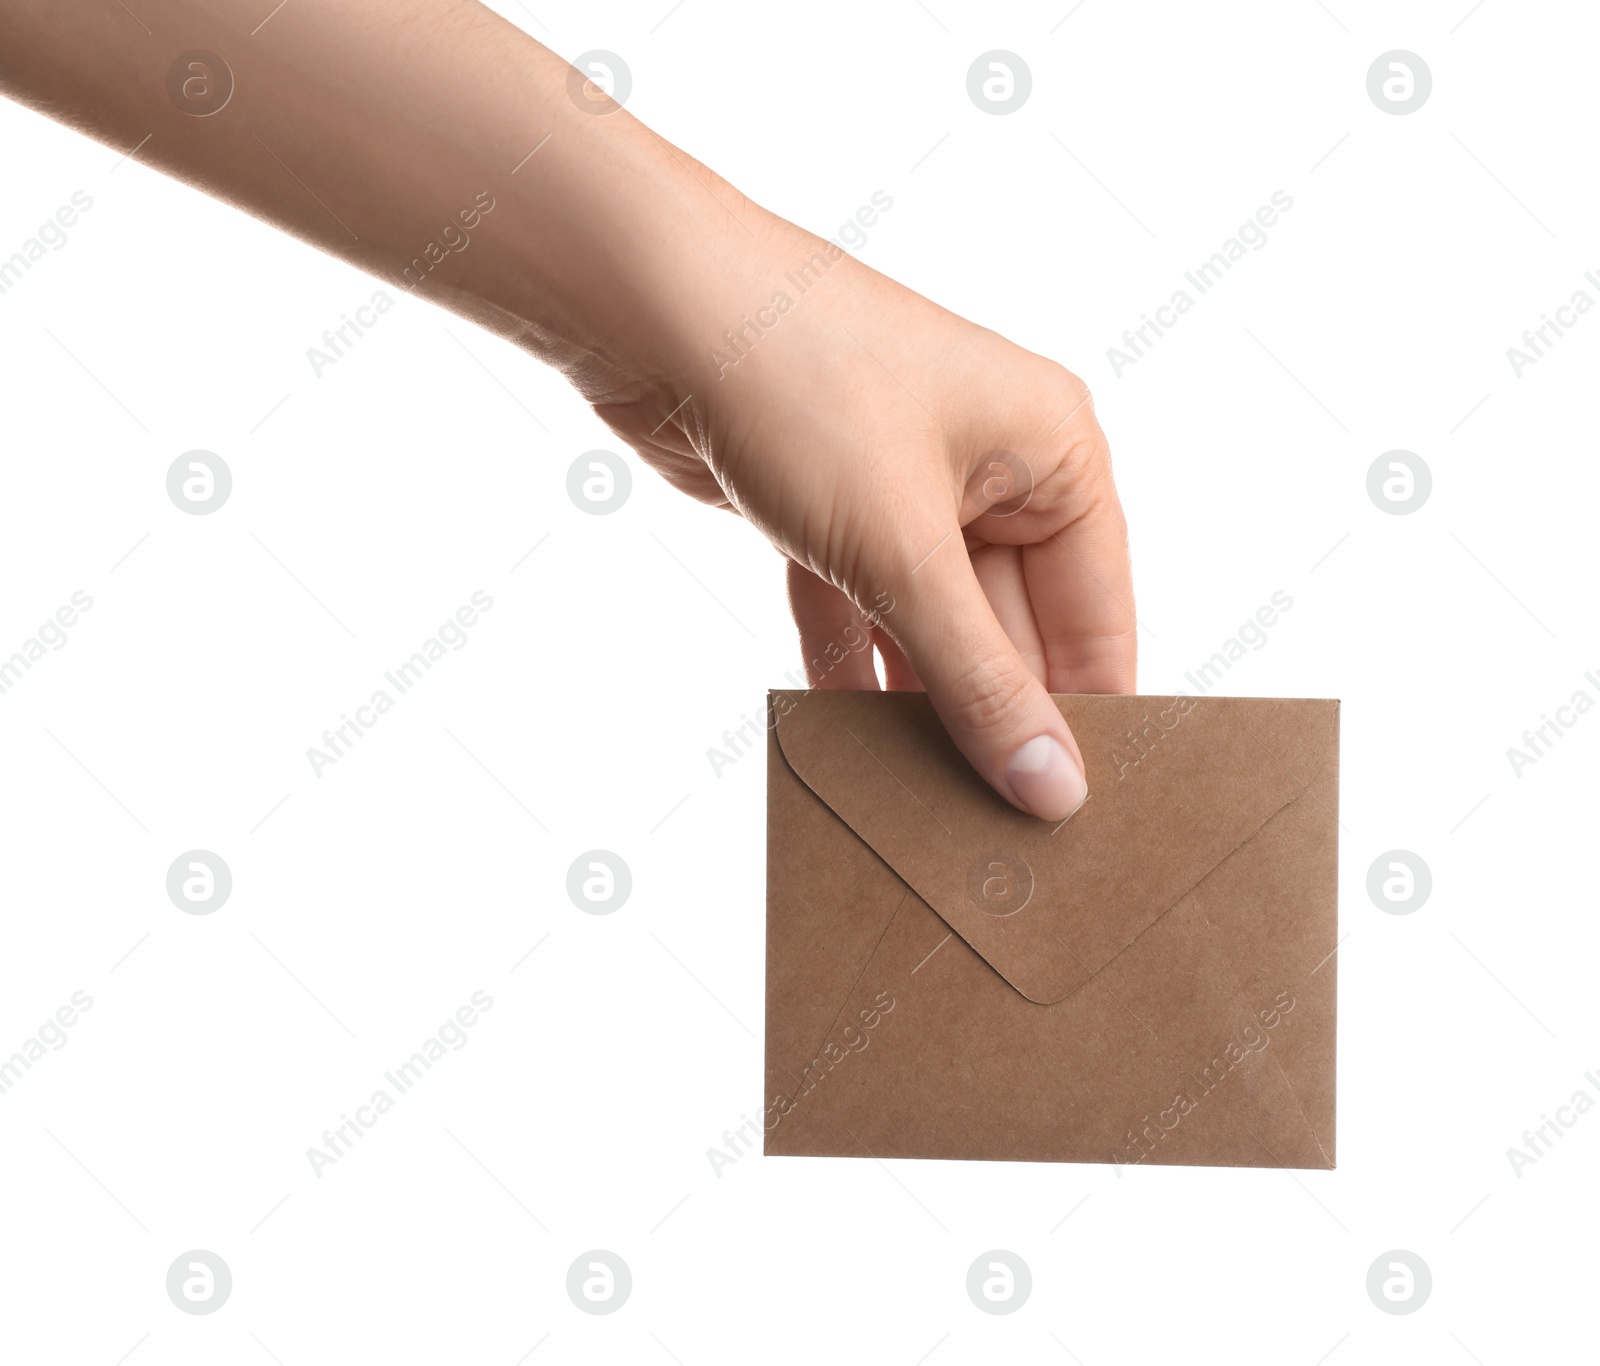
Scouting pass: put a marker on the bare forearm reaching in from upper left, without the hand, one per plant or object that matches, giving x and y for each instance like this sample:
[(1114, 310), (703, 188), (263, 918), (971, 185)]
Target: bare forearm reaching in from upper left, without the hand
[(425, 142)]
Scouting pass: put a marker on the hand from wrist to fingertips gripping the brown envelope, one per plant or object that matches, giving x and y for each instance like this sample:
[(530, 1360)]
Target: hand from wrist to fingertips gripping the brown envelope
[(902, 455)]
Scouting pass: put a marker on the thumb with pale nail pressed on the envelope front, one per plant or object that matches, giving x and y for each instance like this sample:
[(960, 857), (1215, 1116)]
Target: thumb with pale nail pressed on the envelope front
[(991, 703)]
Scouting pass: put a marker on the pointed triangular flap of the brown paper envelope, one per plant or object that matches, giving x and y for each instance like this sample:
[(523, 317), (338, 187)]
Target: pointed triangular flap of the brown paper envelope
[(1177, 785)]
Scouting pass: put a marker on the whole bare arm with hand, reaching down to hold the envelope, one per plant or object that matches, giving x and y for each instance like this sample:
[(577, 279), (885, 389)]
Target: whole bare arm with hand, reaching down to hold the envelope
[(858, 434)]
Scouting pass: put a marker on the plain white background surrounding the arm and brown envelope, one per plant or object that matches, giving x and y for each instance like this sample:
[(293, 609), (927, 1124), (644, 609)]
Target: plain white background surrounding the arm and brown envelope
[(374, 901)]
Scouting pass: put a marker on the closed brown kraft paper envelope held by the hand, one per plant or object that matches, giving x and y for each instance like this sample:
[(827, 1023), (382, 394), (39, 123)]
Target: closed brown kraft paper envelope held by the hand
[(1150, 981)]
